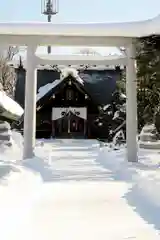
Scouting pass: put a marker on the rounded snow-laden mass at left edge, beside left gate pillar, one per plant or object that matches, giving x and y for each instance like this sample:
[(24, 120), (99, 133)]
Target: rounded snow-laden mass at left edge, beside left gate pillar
[(9, 108)]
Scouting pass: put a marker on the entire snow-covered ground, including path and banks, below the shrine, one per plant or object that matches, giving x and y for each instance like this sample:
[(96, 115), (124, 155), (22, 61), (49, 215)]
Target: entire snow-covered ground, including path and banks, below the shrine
[(75, 189)]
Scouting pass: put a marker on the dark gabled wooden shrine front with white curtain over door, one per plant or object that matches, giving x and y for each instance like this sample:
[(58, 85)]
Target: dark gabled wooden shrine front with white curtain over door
[(66, 111)]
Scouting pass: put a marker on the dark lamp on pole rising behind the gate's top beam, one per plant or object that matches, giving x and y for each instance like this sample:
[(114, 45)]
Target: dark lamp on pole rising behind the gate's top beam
[(49, 8)]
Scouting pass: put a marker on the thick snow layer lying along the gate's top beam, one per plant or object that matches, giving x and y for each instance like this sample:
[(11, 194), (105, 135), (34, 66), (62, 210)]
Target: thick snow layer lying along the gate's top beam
[(125, 29)]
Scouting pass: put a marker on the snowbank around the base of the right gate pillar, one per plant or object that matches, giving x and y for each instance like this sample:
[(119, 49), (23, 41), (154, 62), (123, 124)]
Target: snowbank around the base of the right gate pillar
[(144, 174)]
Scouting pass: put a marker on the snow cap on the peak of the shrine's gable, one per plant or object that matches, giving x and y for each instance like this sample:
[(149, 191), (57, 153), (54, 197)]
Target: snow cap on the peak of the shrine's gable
[(71, 72)]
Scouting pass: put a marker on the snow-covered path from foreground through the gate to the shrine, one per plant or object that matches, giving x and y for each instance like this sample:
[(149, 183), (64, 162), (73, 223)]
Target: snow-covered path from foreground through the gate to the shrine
[(79, 198)]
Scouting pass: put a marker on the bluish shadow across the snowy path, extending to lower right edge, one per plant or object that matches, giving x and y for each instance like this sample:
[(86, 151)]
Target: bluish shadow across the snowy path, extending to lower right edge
[(97, 165)]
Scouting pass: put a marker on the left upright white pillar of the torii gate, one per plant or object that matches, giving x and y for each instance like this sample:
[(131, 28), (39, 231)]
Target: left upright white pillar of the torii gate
[(30, 104)]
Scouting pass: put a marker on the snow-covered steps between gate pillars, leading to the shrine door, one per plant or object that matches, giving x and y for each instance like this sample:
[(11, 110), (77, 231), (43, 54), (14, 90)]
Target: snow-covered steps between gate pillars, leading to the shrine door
[(71, 160)]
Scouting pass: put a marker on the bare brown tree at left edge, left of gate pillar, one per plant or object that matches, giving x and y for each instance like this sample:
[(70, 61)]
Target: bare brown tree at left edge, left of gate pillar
[(7, 71)]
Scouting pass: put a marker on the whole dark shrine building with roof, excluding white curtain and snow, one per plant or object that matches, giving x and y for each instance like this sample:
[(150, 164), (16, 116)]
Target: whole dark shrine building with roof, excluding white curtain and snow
[(70, 109)]
